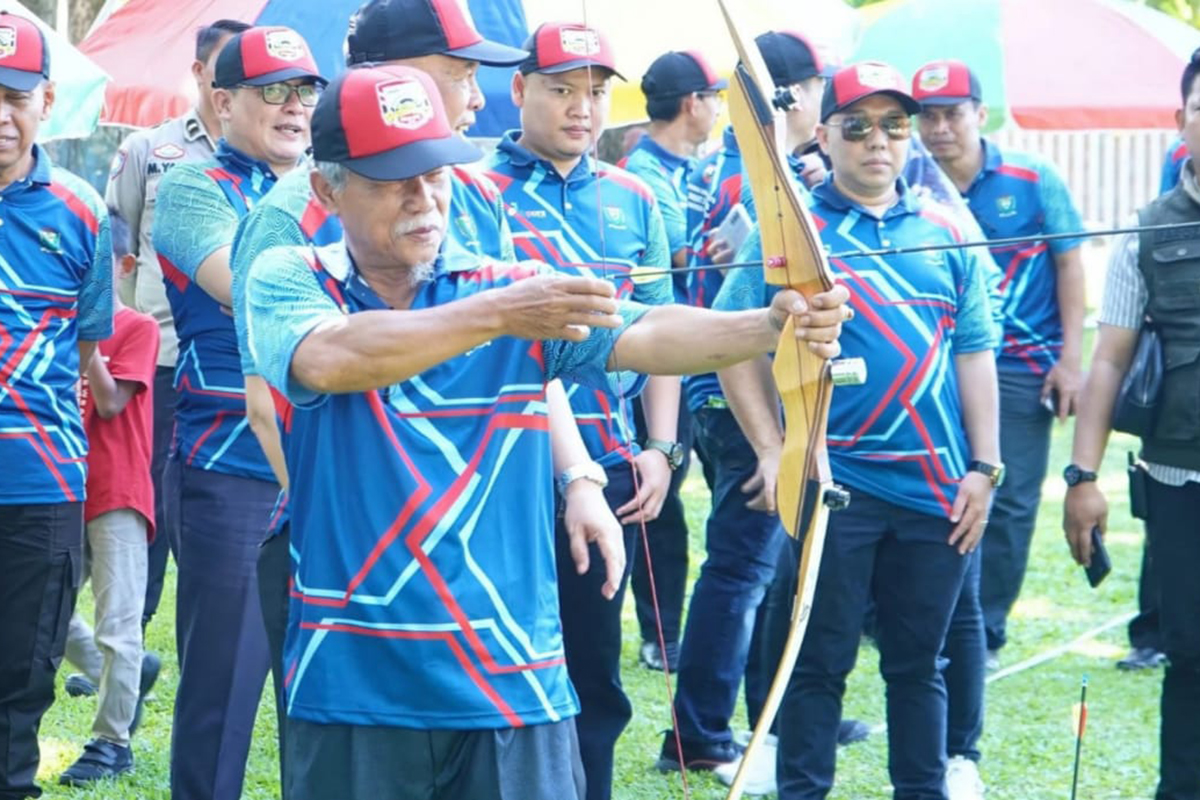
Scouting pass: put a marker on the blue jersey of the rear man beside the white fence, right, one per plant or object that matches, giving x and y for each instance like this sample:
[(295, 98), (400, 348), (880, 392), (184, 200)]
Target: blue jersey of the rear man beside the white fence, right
[(1018, 195)]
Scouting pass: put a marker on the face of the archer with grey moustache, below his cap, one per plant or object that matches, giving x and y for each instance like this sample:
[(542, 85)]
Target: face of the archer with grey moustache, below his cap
[(395, 222)]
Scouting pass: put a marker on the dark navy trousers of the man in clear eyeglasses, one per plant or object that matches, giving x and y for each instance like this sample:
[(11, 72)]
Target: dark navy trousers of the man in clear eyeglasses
[(220, 634)]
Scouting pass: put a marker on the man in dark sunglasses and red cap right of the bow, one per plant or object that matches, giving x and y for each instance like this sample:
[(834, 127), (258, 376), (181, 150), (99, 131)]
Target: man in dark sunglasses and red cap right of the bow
[(916, 446)]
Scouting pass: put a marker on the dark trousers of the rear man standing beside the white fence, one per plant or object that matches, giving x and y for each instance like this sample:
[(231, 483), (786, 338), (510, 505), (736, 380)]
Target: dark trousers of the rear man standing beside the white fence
[(1025, 449)]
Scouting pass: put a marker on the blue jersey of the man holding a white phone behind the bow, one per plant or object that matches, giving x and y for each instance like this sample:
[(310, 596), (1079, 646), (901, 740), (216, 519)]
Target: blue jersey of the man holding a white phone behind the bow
[(715, 189)]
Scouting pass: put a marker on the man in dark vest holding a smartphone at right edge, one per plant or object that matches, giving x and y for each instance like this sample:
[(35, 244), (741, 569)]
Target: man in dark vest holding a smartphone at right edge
[(1154, 275)]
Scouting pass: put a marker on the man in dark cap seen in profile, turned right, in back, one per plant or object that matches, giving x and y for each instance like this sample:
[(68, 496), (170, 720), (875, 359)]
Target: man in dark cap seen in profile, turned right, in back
[(683, 100)]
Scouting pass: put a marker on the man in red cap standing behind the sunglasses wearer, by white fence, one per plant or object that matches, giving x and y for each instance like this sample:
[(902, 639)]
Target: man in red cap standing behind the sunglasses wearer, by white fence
[(1013, 195)]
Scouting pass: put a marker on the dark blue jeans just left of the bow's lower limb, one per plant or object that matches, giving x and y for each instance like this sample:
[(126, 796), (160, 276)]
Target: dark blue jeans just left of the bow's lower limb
[(743, 548)]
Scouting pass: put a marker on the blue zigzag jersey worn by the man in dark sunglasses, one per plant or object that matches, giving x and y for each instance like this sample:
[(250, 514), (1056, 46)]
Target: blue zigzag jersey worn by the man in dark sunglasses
[(899, 437)]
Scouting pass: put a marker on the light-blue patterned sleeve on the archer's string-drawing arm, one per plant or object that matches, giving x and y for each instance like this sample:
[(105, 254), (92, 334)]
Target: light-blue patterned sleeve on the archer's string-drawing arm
[(284, 305)]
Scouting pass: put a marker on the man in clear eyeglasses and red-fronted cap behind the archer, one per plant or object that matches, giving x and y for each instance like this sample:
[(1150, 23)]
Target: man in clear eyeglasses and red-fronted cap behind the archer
[(219, 484)]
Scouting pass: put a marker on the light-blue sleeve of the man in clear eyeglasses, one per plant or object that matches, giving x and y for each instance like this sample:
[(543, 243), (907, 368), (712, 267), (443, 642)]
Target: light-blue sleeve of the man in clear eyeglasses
[(193, 219)]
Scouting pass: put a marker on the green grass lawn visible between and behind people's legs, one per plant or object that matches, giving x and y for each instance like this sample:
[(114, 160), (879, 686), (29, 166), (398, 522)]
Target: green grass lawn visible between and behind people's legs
[(1029, 741)]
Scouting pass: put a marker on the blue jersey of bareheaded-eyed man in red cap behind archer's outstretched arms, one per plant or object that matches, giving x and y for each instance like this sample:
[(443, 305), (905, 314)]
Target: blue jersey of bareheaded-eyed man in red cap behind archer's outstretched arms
[(603, 225)]
